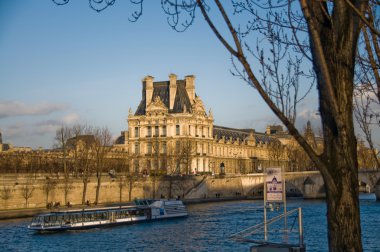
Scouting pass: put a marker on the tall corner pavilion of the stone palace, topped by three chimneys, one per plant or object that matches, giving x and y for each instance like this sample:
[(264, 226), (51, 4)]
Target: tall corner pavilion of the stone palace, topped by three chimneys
[(169, 128)]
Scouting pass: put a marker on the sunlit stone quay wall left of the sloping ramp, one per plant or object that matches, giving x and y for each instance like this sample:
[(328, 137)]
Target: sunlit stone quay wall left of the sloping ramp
[(15, 187)]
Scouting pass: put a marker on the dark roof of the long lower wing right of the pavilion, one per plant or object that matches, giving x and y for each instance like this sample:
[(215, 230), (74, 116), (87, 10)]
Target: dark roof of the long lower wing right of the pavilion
[(242, 134)]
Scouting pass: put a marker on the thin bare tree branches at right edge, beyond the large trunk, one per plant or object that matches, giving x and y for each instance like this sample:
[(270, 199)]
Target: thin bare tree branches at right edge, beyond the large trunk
[(367, 79)]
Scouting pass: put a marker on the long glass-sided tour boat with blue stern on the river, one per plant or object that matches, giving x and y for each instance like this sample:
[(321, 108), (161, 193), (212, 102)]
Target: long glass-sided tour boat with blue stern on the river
[(144, 210)]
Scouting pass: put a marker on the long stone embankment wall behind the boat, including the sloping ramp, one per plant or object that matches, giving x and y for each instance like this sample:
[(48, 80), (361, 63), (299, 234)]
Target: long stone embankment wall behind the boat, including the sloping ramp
[(32, 191)]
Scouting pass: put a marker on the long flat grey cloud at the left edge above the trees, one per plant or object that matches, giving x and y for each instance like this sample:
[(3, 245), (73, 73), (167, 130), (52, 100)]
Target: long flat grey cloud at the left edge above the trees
[(15, 108)]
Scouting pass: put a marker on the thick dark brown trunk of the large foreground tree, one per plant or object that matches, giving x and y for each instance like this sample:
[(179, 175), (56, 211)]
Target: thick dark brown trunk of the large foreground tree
[(333, 41)]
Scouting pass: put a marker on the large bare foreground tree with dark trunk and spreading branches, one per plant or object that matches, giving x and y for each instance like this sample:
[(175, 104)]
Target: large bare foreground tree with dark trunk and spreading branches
[(324, 32)]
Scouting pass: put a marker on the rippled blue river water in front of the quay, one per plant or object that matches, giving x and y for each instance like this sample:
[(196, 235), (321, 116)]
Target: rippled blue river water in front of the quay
[(206, 229)]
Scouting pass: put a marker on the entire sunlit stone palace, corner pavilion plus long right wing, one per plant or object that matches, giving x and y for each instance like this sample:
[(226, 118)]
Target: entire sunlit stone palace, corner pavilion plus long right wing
[(171, 133)]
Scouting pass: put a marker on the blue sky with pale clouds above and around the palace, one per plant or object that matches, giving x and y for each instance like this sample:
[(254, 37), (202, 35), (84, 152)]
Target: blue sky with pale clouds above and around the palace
[(62, 65)]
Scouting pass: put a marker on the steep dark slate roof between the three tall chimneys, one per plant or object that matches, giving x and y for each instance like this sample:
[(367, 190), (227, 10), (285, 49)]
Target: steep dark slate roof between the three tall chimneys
[(161, 89)]
